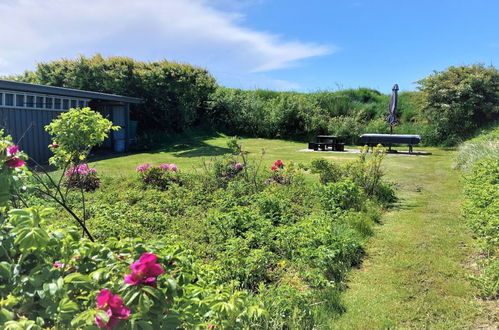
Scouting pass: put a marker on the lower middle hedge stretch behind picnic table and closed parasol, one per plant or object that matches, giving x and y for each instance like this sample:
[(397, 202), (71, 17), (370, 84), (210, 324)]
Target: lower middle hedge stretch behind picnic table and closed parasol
[(347, 113)]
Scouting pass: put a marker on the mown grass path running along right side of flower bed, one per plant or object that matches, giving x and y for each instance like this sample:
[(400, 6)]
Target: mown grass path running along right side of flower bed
[(414, 274)]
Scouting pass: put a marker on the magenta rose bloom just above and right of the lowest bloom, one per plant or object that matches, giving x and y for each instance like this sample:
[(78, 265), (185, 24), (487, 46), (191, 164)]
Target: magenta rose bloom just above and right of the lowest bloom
[(145, 270)]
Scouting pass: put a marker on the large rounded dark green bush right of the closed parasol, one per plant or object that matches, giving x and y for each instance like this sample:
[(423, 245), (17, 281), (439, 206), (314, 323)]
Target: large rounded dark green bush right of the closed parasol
[(459, 100)]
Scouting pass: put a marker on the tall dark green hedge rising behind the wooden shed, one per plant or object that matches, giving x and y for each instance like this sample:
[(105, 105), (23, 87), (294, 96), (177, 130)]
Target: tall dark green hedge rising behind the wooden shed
[(174, 94)]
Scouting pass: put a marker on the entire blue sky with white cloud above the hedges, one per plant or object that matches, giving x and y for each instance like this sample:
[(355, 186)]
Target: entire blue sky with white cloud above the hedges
[(270, 44)]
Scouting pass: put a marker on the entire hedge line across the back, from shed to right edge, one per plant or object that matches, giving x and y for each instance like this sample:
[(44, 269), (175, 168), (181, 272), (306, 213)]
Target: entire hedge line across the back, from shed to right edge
[(450, 106)]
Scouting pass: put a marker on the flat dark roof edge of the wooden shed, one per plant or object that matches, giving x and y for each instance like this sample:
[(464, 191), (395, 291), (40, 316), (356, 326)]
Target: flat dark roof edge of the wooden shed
[(68, 92)]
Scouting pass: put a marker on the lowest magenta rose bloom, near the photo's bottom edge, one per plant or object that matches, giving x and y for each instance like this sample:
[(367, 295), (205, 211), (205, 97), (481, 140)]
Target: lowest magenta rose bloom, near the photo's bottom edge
[(113, 306)]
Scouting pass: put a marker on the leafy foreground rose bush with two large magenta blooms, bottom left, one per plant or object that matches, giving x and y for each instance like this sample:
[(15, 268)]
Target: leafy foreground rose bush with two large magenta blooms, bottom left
[(56, 279)]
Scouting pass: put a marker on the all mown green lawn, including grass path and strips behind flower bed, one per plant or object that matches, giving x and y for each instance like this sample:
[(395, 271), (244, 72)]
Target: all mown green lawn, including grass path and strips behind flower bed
[(414, 274)]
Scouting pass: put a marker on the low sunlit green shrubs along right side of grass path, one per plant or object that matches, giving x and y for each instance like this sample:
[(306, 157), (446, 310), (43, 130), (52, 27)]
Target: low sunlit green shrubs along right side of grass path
[(479, 160)]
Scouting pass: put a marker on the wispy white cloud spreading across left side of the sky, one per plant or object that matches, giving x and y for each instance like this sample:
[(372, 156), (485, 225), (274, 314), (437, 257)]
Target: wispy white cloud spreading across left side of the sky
[(186, 31)]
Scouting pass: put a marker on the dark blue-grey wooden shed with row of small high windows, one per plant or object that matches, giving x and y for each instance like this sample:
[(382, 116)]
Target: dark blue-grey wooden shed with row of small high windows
[(25, 109)]
